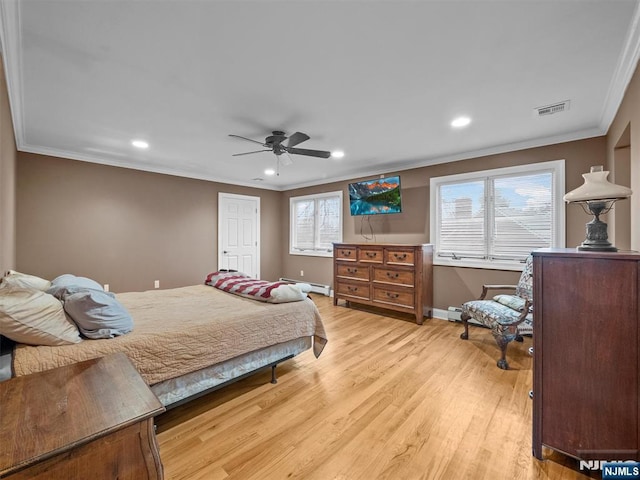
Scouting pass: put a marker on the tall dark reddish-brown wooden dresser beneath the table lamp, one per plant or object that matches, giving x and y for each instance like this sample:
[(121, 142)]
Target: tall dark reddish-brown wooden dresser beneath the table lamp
[(586, 355)]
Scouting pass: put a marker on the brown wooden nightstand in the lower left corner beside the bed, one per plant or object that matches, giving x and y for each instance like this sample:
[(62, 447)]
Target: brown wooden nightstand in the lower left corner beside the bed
[(89, 421)]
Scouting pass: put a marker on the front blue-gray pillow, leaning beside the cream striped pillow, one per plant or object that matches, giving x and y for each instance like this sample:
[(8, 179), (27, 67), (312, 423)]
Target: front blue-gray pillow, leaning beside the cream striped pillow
[(97, 313)]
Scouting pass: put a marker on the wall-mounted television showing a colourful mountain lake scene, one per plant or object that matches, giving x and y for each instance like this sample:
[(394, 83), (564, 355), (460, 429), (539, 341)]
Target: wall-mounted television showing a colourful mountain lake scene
[(372, 197)]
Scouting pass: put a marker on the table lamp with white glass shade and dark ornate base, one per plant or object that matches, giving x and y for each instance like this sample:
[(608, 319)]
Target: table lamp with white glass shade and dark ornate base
[(597, 196)]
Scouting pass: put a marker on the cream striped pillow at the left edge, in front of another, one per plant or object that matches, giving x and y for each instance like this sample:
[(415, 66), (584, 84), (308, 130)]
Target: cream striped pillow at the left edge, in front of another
[(35, 317)]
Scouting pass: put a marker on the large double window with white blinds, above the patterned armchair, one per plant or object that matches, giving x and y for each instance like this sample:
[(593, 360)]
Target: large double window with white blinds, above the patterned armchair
[(495, 218)]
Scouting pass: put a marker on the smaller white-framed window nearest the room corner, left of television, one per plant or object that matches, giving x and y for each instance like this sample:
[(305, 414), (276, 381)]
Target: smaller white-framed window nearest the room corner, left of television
[(316, 222)]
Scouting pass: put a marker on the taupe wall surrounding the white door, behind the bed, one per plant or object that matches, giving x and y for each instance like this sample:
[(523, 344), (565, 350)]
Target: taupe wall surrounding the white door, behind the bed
[(126, 227)]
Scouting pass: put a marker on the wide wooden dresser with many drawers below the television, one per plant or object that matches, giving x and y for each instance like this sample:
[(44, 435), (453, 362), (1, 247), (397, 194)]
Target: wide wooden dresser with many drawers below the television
[(393, 276)]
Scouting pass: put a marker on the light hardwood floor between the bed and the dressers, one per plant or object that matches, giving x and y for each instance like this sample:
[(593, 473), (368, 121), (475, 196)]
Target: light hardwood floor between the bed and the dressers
[(387, 399)]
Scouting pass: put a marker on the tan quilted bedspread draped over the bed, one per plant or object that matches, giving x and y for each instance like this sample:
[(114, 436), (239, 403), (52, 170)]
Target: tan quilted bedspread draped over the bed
[(182, 330)]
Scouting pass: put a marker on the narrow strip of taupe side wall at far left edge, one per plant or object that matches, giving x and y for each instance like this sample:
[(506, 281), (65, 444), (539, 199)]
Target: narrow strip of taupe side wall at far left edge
[(7, 181)]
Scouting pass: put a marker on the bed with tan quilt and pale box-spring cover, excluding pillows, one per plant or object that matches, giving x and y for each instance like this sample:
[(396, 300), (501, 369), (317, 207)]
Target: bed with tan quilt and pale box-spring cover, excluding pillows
[(188, 341)]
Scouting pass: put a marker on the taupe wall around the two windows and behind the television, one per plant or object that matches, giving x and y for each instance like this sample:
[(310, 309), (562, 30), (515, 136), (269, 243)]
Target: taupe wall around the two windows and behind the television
[(452, 286)]
